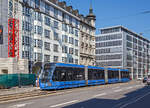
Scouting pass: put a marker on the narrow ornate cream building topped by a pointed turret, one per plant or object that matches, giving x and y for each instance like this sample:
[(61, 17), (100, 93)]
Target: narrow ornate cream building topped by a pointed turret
[(87, 39)]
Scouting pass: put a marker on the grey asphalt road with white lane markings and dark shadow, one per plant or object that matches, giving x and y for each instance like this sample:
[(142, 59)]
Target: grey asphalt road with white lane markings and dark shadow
[(132, 95)]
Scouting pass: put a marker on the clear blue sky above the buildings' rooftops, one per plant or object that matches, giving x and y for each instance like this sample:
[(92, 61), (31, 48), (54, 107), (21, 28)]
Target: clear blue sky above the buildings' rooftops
[(117, 12)]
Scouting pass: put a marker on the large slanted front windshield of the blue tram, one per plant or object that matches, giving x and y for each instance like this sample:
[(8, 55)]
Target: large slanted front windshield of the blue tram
[(47, 72)]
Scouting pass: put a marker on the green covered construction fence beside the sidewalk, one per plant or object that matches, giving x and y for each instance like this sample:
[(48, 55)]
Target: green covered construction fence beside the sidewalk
[(12, 80)]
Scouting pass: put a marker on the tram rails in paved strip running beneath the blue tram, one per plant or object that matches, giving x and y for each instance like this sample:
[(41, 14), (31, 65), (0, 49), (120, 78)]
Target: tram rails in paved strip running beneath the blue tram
[(39, 93)]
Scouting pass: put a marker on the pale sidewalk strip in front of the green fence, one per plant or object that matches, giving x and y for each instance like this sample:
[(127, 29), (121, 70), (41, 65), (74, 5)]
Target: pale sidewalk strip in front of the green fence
[(15, 90)]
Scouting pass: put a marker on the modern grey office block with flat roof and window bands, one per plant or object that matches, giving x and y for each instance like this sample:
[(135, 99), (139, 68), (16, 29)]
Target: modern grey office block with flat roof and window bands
[(121, 48)]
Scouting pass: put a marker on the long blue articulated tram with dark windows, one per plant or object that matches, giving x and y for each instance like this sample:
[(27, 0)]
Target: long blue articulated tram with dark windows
[(60, 75)]
